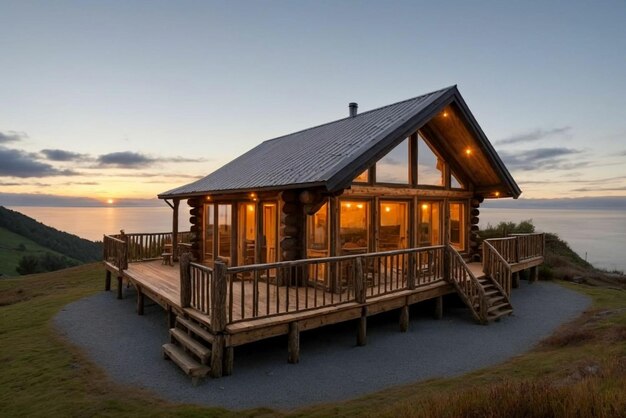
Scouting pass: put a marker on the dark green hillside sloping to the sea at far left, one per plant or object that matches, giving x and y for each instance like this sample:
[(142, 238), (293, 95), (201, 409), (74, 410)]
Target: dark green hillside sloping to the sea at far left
[(28, 246)]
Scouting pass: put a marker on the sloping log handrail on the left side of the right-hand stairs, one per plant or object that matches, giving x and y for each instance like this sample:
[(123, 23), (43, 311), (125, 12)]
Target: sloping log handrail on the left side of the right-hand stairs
[(467, 286)]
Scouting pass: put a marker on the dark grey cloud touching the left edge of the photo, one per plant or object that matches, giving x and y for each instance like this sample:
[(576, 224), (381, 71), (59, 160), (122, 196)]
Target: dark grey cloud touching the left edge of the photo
[(16, 163)]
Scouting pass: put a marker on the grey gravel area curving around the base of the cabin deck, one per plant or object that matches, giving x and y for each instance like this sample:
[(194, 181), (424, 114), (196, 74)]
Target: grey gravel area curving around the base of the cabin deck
[(332, 367)]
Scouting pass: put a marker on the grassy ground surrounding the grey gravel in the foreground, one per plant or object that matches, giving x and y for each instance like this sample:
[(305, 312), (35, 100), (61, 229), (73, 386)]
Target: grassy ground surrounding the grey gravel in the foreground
[(579, 371)]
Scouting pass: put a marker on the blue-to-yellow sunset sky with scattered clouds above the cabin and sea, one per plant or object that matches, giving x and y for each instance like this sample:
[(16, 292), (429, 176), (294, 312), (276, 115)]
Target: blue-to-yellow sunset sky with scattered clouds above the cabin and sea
[(115, 100)]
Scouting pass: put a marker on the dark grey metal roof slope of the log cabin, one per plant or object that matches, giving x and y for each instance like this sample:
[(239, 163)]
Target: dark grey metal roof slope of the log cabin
[(326, 155)]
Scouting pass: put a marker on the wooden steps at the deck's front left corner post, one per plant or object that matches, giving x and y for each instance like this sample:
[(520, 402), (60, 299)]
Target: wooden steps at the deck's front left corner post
[(190, 348)]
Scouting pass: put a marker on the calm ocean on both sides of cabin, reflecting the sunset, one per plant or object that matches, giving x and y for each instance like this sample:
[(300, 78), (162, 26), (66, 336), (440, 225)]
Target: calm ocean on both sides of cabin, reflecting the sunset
[(597, 235)]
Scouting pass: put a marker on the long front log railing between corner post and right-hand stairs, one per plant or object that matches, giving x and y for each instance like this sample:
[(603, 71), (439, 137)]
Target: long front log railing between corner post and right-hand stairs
[(266, 290)]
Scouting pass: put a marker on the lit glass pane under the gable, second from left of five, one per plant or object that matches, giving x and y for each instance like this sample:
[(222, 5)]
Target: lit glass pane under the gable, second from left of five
[(353, 227)]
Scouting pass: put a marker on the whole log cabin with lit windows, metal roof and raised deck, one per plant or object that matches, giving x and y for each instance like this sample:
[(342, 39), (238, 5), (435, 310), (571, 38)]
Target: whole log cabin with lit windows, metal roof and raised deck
[(365, 214)]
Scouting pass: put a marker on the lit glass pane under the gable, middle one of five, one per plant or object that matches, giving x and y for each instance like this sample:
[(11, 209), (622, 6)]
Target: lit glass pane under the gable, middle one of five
[(394, 226)]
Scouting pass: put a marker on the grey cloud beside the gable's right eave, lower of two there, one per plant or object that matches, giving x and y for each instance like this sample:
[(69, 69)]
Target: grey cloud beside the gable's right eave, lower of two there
[(541, 158)]
